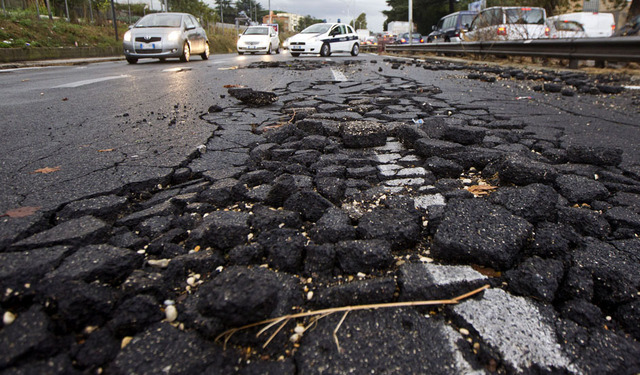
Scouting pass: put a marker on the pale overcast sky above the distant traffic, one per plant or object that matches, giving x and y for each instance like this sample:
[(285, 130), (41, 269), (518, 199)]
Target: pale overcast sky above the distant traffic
[(332, 10)]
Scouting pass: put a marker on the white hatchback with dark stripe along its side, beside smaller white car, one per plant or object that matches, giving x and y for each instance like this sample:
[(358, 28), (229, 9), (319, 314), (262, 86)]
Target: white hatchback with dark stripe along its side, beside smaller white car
[(325, 39)]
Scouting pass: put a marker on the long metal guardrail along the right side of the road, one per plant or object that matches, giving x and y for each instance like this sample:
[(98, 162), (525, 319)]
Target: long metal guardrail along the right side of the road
[(600, 49)]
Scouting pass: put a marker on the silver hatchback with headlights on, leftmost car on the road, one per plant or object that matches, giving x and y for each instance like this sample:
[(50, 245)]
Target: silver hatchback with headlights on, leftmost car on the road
[(163, 35)]
